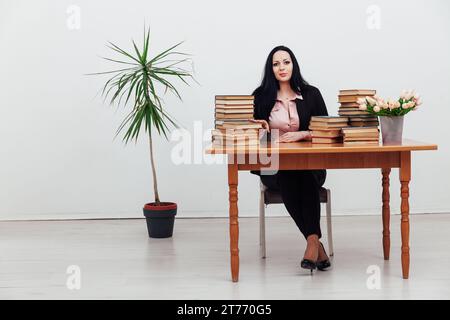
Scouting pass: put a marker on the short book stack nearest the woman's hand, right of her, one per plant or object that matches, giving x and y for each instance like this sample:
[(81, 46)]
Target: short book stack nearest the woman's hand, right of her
[(327, 129)]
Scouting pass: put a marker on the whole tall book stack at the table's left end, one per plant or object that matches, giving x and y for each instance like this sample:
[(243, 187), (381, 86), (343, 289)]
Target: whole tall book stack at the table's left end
[(232, 125)]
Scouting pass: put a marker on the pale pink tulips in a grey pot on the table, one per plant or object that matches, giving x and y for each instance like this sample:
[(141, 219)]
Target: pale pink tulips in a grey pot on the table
[(391, 113)]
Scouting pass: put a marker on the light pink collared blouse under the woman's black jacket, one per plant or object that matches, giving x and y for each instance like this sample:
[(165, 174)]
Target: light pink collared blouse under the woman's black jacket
[(284, 116)]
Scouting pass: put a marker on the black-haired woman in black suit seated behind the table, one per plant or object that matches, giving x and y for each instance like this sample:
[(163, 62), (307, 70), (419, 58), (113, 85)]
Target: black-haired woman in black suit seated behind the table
[(286, 102)]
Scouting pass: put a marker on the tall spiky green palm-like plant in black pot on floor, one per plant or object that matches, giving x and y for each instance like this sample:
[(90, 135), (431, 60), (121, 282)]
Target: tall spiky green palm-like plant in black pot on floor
[(136, 82)]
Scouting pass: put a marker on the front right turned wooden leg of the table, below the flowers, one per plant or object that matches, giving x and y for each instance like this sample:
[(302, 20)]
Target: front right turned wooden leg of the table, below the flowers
[(405, 177)]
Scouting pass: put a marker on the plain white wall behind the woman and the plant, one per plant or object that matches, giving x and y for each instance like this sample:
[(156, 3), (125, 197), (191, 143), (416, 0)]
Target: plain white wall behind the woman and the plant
[(58, 157)]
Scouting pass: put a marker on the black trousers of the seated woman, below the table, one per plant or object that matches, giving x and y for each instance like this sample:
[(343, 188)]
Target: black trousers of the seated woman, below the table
[(300, 193)]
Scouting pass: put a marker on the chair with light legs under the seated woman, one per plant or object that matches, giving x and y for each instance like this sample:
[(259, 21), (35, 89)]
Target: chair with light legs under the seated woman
[(271, 196)]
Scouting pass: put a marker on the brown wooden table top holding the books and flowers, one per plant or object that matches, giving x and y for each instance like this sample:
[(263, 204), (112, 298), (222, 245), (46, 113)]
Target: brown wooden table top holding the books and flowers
[(308, 147)]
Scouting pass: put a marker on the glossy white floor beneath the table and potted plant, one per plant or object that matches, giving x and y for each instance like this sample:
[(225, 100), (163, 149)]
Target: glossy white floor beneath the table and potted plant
[(117, 260)]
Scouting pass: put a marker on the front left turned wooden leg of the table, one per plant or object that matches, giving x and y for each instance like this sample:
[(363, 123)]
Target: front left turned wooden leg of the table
[(234, 226)]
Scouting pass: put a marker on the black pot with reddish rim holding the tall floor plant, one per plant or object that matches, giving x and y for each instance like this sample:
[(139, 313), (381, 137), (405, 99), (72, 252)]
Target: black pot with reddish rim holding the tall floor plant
[(160, 219)]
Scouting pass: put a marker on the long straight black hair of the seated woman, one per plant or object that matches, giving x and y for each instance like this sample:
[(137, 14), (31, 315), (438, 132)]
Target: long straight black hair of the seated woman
[(266, 93)]
